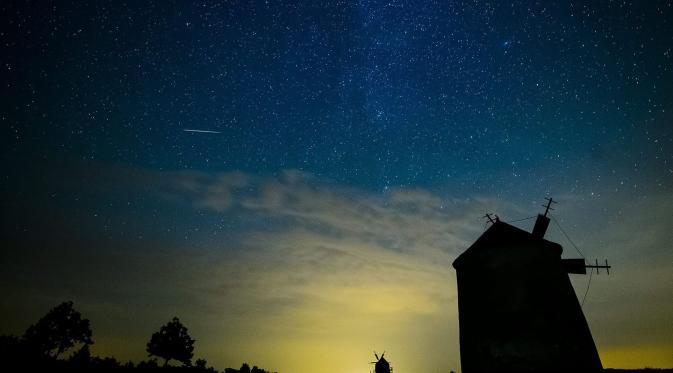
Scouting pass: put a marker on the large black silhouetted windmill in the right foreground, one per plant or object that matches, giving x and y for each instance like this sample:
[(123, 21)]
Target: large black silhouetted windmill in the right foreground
[(517, 309)]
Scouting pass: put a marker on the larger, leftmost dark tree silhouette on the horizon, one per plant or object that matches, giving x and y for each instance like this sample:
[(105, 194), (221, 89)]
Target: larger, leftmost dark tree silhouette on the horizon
[(58, 330)]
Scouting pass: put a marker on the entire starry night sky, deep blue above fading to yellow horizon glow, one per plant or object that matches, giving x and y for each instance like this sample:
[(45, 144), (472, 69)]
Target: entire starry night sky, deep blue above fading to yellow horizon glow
[(349, 150)]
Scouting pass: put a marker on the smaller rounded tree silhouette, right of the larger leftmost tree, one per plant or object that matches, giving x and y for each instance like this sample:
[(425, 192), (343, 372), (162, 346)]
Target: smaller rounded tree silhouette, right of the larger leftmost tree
[(172, 342)]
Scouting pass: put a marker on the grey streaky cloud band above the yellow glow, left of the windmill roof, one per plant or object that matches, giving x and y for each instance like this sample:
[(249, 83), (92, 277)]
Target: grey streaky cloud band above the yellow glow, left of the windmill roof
[(403, 219)]
